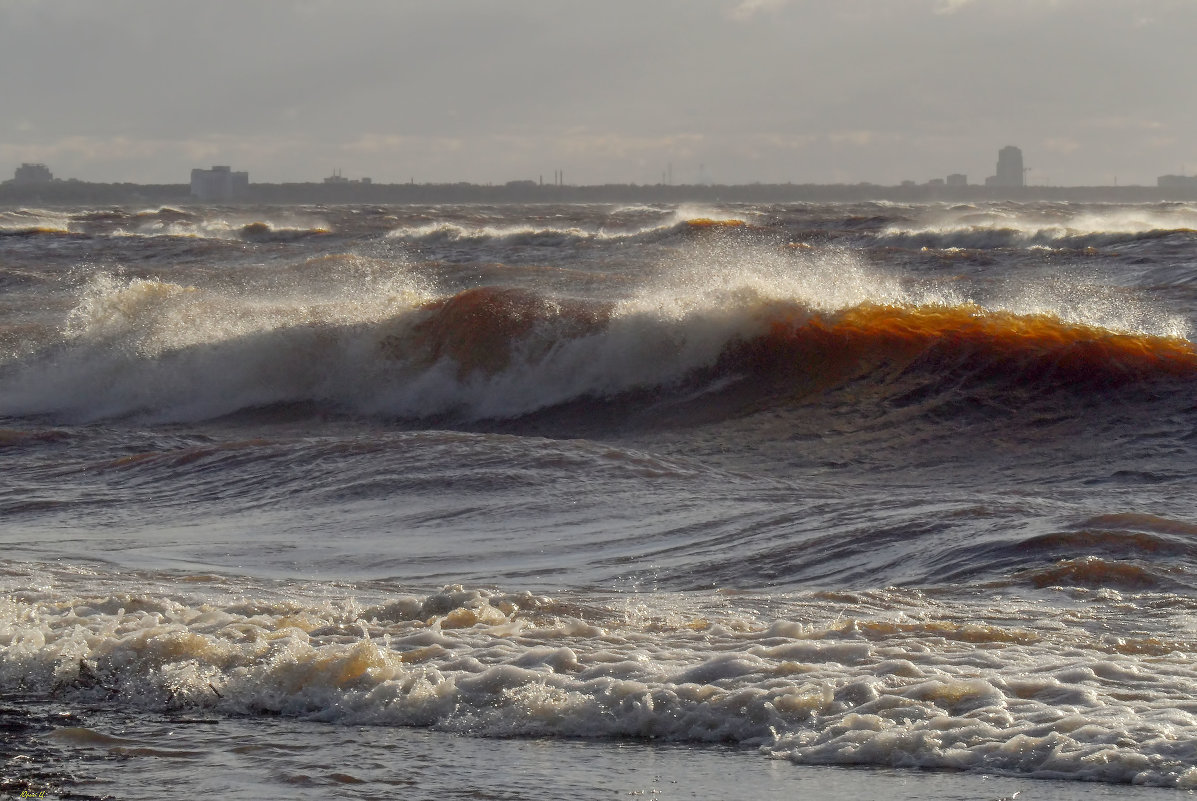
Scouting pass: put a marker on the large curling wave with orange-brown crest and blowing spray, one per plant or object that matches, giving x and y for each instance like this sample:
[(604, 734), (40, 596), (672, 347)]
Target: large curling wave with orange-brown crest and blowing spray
[(780, 326)]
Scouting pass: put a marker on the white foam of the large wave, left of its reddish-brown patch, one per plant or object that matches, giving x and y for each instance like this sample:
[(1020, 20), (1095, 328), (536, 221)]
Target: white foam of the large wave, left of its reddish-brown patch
[(135, 345)]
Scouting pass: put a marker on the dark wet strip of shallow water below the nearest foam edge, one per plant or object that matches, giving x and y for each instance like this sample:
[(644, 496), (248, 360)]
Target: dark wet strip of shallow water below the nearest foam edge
[(88, 754)]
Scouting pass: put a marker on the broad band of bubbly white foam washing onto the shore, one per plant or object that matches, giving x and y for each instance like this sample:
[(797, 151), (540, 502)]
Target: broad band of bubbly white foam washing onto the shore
[(894, 681)]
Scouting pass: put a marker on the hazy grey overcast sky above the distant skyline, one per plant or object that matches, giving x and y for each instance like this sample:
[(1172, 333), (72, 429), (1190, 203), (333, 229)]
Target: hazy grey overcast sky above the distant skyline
[(606, 92)]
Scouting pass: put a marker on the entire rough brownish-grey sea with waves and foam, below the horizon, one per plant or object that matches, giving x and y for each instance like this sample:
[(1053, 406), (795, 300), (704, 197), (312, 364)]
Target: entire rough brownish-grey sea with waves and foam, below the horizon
[(831, 501)]
